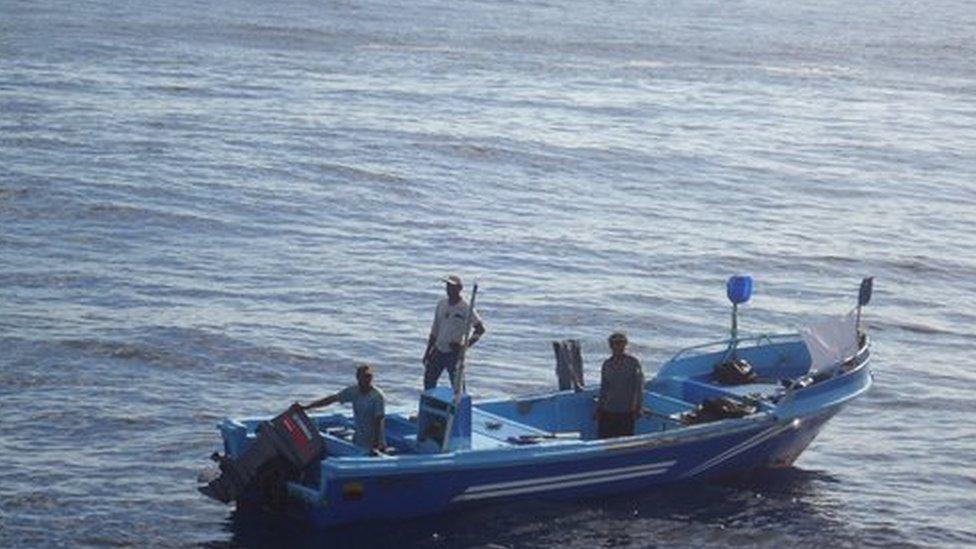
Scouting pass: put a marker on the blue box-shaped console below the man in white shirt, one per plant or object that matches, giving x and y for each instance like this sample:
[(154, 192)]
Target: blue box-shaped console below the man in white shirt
[(441, 425)]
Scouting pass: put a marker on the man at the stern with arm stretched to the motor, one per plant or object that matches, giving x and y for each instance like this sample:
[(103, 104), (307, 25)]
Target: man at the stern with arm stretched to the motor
[(368, 407)]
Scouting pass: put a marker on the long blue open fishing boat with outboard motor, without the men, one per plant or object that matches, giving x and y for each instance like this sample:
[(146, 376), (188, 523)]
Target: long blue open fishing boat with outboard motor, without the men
[(714, 410)]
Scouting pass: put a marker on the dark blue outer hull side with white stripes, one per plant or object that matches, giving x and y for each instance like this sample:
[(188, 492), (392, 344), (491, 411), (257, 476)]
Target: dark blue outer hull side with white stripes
[(626, 467)]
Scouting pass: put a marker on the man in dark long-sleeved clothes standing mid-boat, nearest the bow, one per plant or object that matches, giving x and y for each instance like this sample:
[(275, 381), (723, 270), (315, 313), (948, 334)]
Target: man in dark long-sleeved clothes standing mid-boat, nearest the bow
[(621, 391)]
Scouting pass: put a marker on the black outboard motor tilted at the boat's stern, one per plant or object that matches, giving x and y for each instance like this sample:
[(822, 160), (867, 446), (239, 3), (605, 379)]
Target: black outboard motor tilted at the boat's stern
[(284, 447)]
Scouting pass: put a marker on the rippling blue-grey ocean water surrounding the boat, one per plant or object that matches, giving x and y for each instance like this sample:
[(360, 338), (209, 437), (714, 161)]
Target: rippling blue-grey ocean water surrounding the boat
[(217, 208)]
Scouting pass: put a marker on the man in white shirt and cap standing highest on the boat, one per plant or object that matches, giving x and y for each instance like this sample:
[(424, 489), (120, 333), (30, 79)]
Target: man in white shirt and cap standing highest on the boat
[(447, 334)]
